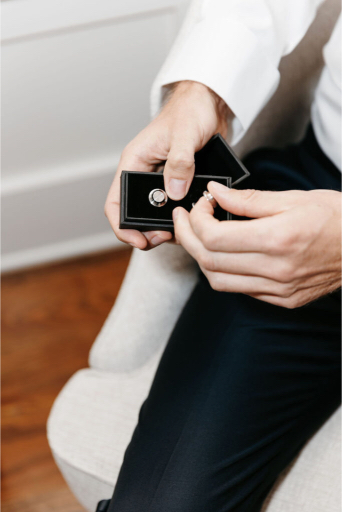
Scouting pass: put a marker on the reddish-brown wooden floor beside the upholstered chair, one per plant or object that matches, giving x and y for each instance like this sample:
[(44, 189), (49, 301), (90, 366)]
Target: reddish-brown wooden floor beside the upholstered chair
[(50, 317)]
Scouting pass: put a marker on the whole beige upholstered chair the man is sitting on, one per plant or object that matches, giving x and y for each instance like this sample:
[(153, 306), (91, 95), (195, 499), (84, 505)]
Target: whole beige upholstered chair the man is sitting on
[(93, 417)]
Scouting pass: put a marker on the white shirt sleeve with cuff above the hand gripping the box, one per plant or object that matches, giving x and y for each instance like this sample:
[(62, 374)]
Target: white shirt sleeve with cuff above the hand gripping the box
[(234, 47)]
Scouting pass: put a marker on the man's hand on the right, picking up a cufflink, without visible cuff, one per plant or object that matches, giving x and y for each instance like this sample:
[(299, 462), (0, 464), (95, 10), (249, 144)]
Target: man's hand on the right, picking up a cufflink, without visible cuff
[(289, 254)]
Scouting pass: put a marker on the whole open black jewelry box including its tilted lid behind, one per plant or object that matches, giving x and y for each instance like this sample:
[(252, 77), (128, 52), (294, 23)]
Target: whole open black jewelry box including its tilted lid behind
[(140, 210)]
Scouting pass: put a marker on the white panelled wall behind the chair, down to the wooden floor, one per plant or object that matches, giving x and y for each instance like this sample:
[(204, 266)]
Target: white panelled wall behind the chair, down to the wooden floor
[(76, 76)]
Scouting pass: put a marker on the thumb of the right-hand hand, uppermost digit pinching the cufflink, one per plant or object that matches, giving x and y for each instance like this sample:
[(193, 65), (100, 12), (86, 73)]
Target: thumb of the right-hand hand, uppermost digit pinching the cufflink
[(252, 203)]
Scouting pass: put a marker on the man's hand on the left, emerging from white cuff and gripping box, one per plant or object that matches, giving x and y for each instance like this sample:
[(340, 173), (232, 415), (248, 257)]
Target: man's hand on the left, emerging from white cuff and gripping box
[(189, 119)]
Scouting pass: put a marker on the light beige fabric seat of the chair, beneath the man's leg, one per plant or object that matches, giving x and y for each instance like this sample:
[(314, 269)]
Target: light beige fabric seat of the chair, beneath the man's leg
[(93, 419)]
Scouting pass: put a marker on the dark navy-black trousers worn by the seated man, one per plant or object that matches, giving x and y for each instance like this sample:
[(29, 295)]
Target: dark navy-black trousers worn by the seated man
[(242, 384)]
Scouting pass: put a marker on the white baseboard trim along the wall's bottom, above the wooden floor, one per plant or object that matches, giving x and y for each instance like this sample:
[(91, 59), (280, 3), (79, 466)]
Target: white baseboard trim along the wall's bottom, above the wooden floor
[(60, 251)]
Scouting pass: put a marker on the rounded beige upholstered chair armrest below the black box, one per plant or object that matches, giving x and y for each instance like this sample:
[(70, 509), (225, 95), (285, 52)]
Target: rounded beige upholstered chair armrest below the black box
[(156, 286)]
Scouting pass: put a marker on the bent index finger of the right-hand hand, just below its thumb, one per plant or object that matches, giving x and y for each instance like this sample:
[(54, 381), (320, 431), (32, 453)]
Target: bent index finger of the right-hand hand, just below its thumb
[(229, 235)]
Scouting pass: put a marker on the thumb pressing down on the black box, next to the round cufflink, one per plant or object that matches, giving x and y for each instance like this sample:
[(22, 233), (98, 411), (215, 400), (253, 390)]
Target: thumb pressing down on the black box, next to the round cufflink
[(179, 169)]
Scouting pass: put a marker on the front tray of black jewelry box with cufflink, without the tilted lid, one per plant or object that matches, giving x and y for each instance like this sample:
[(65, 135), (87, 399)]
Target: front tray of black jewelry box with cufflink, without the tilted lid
[(139, 211)]
